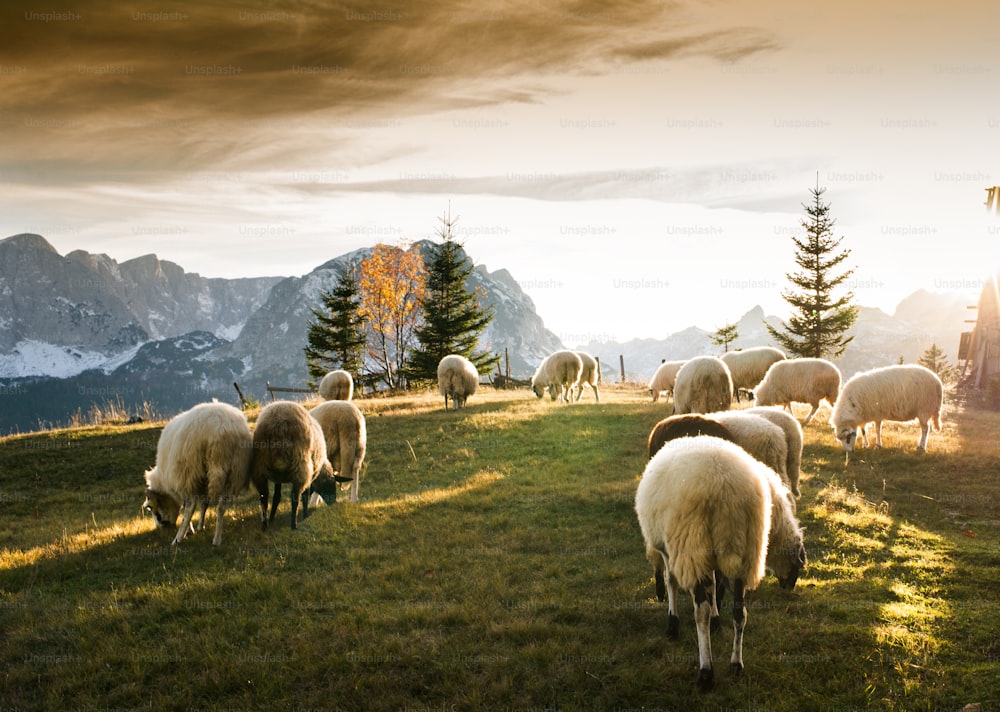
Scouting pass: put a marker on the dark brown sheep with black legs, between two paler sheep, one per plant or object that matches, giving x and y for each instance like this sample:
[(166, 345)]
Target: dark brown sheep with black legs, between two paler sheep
[(288, 446)]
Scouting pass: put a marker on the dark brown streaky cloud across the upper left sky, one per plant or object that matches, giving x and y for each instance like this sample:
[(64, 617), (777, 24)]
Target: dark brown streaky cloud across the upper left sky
[(101, 88)]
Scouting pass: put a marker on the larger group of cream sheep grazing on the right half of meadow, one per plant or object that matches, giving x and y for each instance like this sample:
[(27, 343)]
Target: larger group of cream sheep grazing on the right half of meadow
[(716, 502)]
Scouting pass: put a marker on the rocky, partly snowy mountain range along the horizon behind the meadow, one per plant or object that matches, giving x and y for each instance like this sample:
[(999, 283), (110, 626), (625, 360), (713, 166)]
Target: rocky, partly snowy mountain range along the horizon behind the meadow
[(83, 329)]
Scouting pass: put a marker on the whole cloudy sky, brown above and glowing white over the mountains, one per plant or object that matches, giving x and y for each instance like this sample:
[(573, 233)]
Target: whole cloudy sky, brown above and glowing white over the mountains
[(639, 167)]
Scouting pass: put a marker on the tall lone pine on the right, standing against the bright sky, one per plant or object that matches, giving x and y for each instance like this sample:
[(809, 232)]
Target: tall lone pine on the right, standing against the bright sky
[(817, 328)]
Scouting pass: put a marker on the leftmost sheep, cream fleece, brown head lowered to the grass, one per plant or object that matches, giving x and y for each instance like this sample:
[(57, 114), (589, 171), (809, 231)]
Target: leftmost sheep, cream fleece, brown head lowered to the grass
[(203, 455)]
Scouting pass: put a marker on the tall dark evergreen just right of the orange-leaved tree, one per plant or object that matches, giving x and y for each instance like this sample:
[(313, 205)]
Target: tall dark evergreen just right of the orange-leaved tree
[(453, 318)]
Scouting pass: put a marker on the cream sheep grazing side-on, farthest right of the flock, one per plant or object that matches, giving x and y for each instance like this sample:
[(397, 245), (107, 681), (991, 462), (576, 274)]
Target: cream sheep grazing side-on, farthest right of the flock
[(900, 392)]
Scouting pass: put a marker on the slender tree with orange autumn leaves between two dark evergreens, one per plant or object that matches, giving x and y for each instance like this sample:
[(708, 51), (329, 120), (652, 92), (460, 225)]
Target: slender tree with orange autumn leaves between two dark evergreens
[(391, 286)]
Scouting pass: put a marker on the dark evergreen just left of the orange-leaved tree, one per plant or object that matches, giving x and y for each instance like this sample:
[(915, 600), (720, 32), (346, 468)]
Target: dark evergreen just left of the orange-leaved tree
[(337, 338)]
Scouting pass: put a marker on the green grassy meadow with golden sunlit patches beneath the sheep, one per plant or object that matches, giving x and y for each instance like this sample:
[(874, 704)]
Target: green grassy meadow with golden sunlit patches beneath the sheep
[(494, 562)]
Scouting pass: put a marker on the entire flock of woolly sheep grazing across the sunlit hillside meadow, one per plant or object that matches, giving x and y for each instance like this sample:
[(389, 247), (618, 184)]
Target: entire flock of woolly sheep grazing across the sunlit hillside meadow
[(716, 502)]
